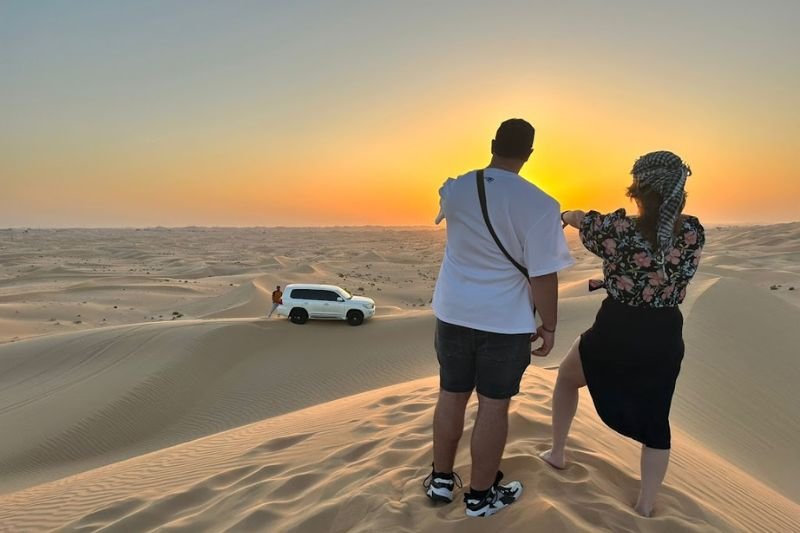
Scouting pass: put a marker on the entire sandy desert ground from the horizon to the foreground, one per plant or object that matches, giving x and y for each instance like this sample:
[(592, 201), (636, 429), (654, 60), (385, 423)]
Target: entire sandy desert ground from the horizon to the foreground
[(143, 389)]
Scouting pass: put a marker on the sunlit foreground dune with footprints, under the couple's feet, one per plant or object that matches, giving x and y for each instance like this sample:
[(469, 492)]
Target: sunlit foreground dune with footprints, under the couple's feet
[(356, 464)]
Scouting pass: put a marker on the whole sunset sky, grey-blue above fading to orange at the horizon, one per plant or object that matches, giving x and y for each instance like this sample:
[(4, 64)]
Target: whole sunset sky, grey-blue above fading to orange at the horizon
[(118, 113)]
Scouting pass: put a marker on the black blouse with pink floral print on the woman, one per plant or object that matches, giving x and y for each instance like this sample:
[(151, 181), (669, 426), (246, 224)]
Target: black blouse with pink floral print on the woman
[(634, 273)]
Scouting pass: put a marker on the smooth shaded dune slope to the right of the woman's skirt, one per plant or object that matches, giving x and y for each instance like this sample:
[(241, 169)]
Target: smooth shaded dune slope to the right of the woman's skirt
[(738, 387)]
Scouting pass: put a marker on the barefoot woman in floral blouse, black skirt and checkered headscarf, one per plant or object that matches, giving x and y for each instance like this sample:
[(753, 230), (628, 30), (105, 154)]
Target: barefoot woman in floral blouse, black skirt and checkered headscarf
[(631, 356)]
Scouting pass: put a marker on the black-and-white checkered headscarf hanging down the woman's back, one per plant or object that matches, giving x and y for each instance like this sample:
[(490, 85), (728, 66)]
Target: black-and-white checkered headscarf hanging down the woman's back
[(665, 173)]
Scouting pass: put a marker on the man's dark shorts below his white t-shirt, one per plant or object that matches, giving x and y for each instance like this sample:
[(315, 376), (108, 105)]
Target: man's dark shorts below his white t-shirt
[(492, 363)]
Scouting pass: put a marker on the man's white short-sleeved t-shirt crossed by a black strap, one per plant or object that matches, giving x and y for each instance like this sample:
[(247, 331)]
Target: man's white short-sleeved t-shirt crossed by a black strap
[(478, 287)]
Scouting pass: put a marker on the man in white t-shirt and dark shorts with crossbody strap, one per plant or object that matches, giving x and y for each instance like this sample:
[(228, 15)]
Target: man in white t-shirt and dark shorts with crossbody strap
[(484, 309)]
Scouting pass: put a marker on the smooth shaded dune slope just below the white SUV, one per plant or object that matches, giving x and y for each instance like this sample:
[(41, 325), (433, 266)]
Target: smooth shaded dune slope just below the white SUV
[(133, 389)]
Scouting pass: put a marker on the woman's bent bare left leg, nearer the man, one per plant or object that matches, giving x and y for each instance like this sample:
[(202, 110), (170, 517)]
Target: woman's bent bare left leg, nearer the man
[(565, 403)]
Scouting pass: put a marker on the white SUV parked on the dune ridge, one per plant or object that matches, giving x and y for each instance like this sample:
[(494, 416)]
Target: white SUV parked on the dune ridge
[(301, 302)]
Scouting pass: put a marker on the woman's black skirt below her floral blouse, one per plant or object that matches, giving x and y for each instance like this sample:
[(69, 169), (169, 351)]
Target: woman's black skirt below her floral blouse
[(631, 358)]
